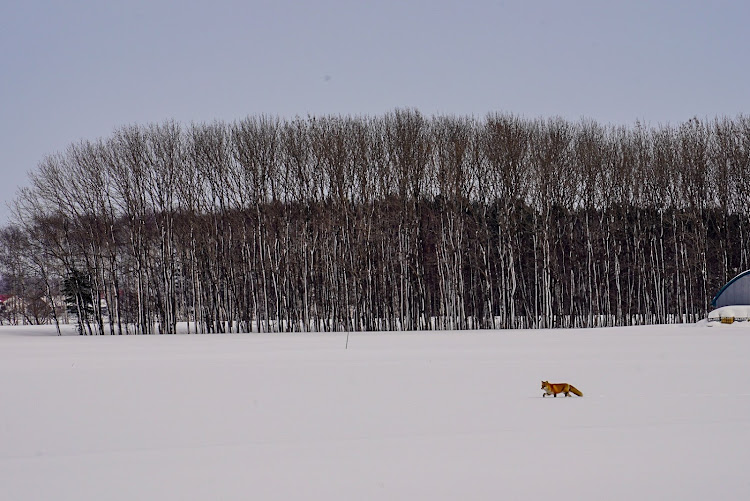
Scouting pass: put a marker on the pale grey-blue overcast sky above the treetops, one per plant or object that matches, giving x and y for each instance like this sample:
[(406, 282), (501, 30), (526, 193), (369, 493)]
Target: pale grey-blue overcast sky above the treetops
[(78, 69)]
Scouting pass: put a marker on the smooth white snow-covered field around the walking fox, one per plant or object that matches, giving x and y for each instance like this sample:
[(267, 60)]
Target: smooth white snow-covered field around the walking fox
[(399, 416)]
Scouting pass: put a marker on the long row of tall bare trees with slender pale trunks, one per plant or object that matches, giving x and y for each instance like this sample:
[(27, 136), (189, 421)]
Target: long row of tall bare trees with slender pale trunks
[(393, 222)]
